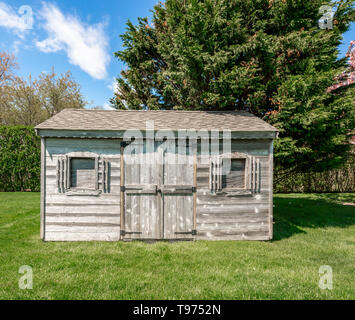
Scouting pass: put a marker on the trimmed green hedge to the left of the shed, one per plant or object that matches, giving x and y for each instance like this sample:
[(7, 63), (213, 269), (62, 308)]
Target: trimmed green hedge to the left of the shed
[(20, 151)]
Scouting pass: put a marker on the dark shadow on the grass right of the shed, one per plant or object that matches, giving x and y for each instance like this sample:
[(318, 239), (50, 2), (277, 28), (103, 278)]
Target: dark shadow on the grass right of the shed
[(294, 213)]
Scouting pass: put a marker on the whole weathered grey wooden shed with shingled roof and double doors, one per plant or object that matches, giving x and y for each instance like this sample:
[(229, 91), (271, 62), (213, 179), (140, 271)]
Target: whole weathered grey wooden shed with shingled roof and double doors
[(123, 175)]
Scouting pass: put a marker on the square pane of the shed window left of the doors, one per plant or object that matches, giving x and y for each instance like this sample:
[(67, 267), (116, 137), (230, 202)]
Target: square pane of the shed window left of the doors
[(82, 173)]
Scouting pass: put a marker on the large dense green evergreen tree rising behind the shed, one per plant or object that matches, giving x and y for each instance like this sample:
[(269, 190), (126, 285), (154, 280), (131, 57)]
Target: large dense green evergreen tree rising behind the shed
[(269, 57)]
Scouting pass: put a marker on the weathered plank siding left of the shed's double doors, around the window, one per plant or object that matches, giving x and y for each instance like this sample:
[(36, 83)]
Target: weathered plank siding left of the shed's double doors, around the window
[(83, 217)]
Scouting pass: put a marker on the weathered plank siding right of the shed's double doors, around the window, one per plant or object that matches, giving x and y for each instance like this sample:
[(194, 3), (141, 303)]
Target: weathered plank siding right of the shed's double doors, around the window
[(240, 217)]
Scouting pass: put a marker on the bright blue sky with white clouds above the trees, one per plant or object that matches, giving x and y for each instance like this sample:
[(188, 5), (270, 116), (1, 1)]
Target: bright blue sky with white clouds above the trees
[(76, 35)]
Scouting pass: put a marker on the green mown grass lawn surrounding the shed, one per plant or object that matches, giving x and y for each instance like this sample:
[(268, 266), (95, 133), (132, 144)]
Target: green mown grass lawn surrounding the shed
[(310, 231)]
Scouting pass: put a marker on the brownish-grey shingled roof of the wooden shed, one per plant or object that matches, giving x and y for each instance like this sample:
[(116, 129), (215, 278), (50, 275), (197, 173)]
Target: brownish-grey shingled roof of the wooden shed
[(86, 120)]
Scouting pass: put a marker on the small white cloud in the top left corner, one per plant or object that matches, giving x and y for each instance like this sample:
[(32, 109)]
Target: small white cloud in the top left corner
[(11, 20)]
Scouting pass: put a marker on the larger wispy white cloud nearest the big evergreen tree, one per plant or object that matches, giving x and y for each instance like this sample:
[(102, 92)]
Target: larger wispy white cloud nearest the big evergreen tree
[(85, 45)]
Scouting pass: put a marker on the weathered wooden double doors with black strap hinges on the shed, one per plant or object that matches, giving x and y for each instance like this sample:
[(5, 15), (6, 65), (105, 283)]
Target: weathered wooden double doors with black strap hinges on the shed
[(158, 190)]
